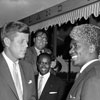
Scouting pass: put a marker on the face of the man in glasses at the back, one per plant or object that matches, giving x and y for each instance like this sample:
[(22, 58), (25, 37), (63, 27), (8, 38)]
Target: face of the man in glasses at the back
[(41, 41)]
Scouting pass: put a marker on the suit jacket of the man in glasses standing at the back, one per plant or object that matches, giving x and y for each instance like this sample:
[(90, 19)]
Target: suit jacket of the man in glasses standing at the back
[(31, 57)]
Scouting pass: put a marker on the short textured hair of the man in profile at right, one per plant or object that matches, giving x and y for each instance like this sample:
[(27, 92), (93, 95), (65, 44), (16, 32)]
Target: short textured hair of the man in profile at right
[(87, 33)]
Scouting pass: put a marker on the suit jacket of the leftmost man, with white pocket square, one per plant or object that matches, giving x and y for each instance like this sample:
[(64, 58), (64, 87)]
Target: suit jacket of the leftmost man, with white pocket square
[(7, 87)]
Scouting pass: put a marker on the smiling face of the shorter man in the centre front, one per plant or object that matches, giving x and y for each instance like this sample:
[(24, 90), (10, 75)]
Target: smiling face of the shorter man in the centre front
[(44, 65)]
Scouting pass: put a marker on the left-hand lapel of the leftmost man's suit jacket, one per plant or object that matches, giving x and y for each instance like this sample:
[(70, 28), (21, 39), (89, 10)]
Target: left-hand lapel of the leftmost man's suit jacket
[(7, 77)]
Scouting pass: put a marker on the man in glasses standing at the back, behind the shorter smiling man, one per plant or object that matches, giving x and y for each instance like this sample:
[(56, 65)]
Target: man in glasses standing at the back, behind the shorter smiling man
[(40, 41)]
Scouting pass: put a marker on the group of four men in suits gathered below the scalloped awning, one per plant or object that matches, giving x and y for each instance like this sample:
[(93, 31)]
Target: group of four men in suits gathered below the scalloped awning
[(26, 73)]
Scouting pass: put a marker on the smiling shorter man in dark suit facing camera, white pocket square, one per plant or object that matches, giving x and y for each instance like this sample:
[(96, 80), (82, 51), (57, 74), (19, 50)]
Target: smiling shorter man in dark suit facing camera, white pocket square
[(52, 88)]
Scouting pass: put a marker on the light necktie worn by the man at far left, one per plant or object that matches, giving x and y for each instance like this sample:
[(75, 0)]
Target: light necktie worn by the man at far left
[(17, 81)]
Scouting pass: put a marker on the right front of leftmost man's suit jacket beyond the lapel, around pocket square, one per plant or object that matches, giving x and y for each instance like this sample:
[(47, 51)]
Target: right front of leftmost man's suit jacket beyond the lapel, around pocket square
[(29, 75)]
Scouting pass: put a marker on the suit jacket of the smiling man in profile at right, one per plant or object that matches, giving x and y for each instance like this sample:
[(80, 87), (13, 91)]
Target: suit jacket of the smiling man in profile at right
[(87, 85)]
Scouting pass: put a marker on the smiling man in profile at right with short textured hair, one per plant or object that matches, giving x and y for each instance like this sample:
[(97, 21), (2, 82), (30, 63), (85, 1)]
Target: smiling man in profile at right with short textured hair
[(85, 47)]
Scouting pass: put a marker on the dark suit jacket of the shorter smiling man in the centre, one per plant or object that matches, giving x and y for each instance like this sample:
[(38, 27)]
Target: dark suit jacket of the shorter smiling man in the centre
[(53, 90)]
